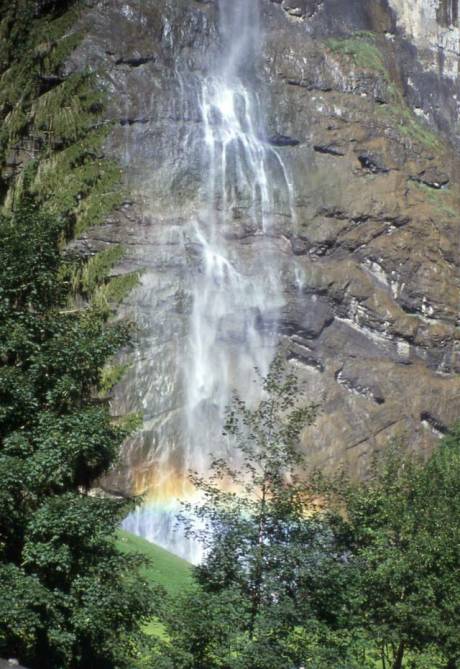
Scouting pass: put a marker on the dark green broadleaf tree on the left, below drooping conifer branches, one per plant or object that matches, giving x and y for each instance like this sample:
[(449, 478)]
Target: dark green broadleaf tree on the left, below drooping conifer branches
[(68, 598)]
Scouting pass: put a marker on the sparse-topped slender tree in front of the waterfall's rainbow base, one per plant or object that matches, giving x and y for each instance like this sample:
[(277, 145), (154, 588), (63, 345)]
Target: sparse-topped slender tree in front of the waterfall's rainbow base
[(268, 591)]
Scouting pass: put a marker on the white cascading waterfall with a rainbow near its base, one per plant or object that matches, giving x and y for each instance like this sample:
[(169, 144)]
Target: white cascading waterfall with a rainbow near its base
[(235, 297)]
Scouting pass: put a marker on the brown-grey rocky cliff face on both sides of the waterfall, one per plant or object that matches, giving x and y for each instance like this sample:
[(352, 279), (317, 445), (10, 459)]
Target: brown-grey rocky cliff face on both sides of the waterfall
[(361, 102)]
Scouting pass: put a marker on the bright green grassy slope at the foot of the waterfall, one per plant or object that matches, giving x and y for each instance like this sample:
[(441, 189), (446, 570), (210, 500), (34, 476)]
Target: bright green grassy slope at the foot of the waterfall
[(166, 569)]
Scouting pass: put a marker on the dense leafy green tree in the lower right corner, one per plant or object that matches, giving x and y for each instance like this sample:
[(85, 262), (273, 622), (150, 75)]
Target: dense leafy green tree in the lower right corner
[(404, 525)]
